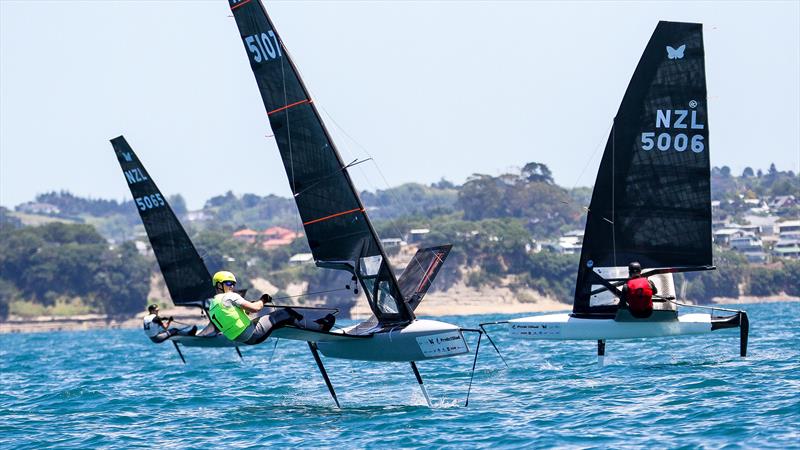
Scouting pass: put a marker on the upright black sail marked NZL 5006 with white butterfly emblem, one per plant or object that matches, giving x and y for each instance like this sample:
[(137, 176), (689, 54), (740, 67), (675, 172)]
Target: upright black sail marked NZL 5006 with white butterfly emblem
[(651, 201)]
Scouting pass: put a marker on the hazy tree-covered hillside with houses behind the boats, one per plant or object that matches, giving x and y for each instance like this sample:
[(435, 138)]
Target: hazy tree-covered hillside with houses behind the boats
[(495, 223)]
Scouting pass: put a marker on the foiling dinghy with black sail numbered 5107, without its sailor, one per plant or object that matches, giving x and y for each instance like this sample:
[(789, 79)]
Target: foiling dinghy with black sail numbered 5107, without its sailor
[(339, 232)]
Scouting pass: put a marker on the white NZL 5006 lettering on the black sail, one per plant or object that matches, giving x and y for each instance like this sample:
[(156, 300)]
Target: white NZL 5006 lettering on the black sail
[(672, 121)]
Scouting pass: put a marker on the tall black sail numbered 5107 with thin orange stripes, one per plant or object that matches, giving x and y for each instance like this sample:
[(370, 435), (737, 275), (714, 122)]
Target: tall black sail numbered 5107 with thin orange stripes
[(336, 224)]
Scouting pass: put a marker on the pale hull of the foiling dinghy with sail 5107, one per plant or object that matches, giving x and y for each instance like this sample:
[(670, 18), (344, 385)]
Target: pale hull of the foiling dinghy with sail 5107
[(420, 340)]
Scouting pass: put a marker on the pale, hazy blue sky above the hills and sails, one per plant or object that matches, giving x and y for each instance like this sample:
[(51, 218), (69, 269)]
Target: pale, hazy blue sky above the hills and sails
[(427, 89)]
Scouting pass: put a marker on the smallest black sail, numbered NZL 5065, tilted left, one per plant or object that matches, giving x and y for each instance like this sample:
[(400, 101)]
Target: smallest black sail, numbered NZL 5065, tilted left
[(187, 277)]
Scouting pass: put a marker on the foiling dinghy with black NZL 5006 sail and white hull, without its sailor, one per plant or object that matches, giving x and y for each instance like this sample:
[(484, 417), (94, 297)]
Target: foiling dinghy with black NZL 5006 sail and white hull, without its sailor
[(651, 204)]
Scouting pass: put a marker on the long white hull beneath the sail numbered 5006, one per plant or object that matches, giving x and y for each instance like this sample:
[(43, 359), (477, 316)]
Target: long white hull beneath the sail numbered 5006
[(565, 327)]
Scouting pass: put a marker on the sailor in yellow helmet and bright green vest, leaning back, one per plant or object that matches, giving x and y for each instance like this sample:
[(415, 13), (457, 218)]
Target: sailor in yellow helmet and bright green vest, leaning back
[(228, 311)]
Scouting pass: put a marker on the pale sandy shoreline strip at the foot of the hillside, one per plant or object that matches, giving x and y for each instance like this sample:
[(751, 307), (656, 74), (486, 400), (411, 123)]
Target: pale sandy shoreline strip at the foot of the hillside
[(436, 307)]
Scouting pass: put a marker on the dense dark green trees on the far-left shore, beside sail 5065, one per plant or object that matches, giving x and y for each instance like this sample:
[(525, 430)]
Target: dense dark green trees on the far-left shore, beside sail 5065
[(58, 262)]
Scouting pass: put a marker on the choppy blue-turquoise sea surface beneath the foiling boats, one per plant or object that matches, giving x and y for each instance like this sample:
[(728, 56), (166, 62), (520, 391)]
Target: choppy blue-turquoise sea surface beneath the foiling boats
[(115, 389)]
